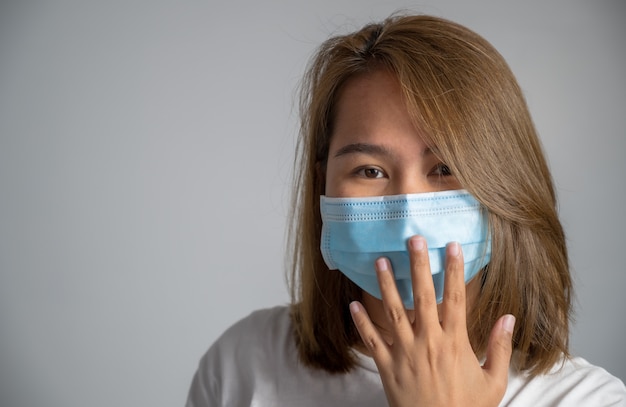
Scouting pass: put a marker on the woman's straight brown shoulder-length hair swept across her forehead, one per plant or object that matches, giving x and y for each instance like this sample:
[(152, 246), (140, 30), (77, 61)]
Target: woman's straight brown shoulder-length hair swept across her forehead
[(462, 94)]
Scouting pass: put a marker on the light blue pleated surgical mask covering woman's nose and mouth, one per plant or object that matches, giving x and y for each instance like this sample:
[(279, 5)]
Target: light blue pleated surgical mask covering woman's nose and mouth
[(357, 231)]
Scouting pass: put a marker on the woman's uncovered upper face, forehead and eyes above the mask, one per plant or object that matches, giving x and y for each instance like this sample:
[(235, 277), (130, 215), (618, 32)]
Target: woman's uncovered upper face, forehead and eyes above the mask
[(375, 149)]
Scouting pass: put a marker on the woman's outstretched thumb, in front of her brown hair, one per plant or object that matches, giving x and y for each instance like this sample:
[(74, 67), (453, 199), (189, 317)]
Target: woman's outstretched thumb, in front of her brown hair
[(500, 347)]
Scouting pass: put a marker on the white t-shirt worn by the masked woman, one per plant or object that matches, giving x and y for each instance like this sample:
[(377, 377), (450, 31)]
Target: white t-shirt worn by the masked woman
[(255, 363)]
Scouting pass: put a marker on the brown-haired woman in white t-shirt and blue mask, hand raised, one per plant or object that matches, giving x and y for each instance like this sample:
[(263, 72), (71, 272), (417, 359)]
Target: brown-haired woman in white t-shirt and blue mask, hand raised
[(412, 130)]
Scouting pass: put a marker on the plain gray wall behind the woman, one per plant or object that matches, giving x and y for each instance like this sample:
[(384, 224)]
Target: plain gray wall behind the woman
[(145, 159)]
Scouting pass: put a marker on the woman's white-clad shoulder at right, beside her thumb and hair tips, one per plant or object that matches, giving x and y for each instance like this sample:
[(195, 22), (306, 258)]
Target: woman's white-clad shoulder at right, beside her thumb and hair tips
[(572, 382)]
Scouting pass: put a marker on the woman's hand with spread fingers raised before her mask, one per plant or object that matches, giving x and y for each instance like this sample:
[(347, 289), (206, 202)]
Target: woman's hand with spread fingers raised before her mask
[(431, 362)]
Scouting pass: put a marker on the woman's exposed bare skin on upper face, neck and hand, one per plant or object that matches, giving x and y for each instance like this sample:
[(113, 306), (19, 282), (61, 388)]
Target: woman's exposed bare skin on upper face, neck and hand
[(424, 355)]
